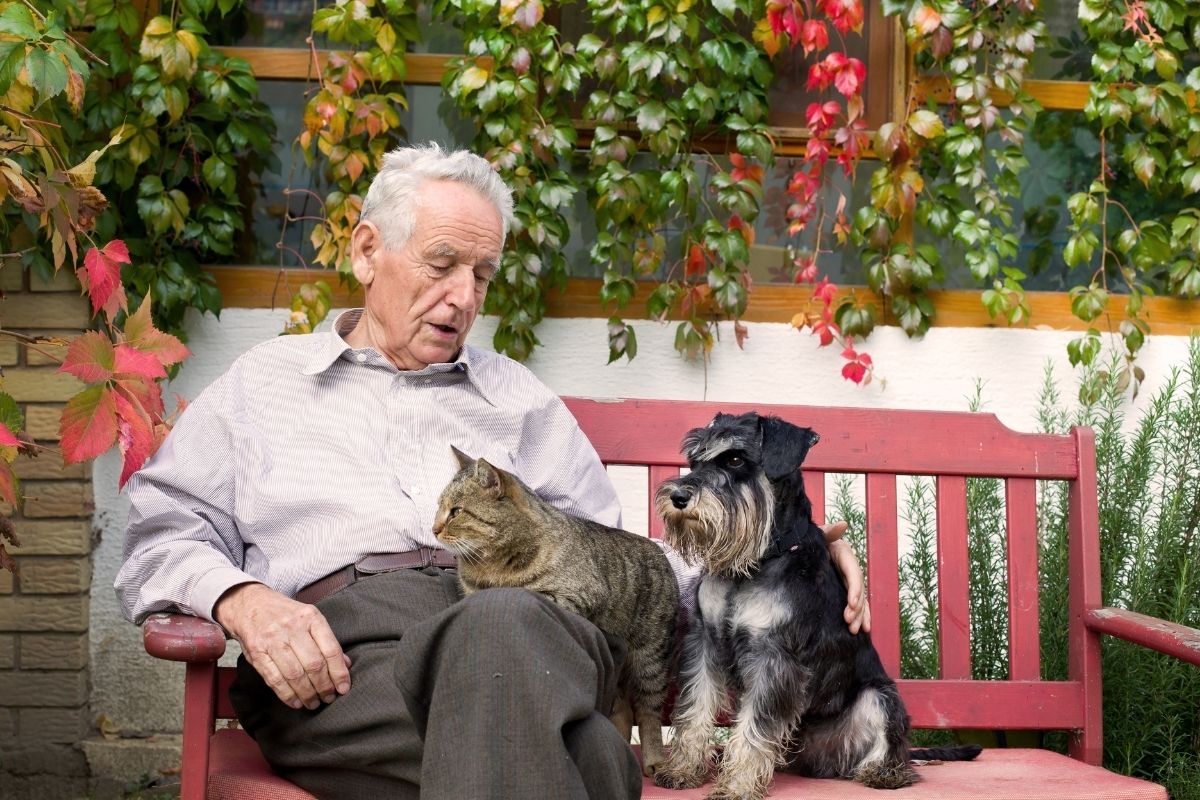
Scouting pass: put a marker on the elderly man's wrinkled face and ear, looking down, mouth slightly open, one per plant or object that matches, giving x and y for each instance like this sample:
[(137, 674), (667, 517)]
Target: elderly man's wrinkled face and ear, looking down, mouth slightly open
[(423, 299)]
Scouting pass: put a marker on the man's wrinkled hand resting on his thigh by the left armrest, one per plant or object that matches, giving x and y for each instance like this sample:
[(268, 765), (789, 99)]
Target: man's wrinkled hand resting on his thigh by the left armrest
[(289, 643)]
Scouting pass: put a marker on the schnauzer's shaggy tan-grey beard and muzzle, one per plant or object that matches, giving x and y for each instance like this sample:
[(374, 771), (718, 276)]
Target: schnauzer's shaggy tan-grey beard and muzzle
[(725, 531)]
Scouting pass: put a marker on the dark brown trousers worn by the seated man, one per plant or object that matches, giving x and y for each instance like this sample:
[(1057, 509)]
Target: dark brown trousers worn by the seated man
[(500, 696)]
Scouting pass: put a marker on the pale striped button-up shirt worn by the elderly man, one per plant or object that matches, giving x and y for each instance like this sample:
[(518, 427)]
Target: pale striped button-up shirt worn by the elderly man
[(309, 455)]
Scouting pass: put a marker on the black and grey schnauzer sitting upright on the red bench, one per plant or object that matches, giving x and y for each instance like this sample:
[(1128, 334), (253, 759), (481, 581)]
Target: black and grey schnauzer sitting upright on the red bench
[(767, 624)]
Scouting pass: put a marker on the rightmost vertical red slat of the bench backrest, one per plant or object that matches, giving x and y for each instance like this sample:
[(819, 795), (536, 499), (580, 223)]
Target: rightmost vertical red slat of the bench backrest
[(1022, 522)]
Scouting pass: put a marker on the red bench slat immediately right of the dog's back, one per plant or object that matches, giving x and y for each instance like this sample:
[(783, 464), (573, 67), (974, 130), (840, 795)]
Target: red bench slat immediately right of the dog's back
[(883, 569)]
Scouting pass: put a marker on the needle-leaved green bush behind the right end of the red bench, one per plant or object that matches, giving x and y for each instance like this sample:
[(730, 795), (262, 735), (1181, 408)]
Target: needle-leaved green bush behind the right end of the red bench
[(1149, 486)]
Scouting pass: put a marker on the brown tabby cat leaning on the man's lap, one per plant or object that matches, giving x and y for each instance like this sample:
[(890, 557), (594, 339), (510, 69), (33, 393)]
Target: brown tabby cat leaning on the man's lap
[(506, 537)]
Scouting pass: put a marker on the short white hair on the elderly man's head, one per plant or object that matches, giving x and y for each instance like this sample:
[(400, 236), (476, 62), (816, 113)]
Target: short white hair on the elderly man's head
[(394, 196)]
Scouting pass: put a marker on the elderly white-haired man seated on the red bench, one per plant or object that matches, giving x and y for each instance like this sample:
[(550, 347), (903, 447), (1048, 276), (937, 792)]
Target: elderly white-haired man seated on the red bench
[(293, 504)]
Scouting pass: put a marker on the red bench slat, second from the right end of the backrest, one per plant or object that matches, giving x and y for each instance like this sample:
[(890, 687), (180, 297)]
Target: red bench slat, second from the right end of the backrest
[(953, 606)]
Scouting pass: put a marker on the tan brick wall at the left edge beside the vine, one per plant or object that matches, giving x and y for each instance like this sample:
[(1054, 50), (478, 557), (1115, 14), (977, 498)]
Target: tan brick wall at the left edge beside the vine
[(44, 609)]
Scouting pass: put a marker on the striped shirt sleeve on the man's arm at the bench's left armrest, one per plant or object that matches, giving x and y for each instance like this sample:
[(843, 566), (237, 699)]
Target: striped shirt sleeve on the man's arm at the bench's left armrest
[(183, 550)]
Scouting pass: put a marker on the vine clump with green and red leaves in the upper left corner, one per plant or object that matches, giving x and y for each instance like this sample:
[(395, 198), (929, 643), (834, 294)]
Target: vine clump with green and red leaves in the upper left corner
[(173, 136)]
